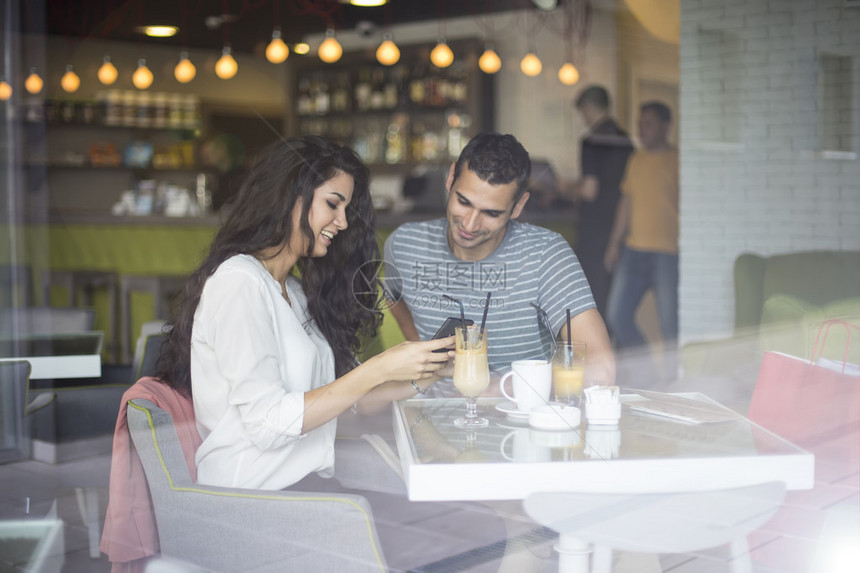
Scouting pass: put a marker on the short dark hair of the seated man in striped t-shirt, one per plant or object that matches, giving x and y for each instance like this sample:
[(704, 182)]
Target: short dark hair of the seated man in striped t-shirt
[(497, 159)]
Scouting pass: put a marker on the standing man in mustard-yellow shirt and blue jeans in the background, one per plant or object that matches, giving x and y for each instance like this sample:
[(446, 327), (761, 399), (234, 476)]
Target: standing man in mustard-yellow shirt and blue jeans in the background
[(643, 245)]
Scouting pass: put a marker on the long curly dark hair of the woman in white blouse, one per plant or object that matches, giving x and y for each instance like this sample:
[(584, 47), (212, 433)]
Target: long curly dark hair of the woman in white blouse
[(340, 287)]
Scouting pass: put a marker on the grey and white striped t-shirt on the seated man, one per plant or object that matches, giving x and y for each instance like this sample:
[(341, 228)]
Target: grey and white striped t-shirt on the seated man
[(532, 265)]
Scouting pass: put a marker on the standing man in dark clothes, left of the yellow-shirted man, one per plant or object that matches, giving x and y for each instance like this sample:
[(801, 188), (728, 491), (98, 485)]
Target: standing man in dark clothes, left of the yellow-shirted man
[(605, 151)]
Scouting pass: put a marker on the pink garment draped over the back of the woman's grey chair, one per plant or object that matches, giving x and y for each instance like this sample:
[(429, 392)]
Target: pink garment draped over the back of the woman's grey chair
[(130, 536)]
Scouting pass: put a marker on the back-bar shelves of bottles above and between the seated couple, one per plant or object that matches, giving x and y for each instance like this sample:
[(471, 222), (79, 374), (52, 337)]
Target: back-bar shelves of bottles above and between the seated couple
[(408, 113)]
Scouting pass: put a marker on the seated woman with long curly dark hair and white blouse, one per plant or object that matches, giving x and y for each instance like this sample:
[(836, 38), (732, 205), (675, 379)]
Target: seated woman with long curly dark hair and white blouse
[(268, 358)]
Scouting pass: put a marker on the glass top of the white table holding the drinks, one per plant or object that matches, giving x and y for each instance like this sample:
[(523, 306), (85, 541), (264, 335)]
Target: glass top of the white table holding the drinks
[(433, 438)]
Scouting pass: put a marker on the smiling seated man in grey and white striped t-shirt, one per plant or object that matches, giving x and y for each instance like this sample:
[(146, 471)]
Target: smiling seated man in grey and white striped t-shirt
[(480, 247)]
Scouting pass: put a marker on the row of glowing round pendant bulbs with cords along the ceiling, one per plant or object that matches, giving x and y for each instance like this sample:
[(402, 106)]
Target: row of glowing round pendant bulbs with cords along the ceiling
[(573, 27)]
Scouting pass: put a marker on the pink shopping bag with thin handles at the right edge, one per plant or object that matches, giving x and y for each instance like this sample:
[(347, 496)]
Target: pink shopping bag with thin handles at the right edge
[(813, 406)]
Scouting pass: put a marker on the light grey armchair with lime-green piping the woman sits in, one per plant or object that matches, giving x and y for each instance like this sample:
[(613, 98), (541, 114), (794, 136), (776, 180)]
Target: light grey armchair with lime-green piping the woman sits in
[(230, 529)]
